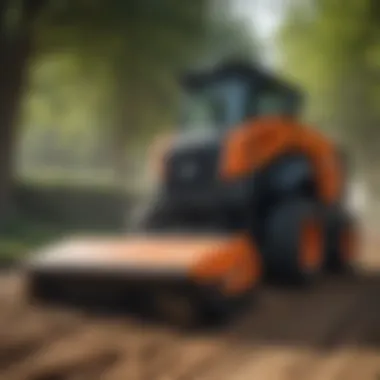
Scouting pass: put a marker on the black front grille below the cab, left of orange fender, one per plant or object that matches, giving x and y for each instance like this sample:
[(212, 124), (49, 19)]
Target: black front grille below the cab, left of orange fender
[(193, 169)]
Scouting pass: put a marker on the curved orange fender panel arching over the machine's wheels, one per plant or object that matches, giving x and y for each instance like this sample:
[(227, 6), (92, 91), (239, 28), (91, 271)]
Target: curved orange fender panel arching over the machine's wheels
[(256, 143)]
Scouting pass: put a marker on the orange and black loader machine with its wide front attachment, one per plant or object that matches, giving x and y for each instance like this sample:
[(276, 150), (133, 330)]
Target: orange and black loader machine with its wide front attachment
[(245, 189)]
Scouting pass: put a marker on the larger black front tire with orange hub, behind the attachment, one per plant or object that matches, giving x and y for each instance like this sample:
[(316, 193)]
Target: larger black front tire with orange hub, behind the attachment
[(284, 255)]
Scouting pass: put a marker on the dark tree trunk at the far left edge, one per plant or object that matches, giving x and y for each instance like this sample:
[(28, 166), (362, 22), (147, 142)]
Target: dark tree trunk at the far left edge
[(16, 24)]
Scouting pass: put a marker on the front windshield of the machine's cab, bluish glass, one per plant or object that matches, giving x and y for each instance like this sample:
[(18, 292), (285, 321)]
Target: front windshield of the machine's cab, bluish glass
[(214, 108)]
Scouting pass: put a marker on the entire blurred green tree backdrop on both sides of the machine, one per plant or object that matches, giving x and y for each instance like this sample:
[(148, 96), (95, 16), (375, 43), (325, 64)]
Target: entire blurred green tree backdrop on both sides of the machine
[(86, 84)]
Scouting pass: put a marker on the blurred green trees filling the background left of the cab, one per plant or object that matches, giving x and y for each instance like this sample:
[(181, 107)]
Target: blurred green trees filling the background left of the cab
[(99, 77)]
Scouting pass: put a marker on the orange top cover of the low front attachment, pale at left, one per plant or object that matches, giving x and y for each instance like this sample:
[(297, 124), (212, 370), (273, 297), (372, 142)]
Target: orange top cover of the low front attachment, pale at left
[(204, 259)]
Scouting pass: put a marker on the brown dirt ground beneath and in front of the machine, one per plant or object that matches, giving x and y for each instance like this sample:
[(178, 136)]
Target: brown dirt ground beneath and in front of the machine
[(331, 332)]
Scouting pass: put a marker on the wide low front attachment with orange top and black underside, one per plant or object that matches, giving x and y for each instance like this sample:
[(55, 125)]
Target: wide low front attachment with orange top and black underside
[(184, 278)]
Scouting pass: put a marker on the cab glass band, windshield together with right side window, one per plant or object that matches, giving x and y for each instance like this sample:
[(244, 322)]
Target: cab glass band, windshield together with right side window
[(219, 106)]
